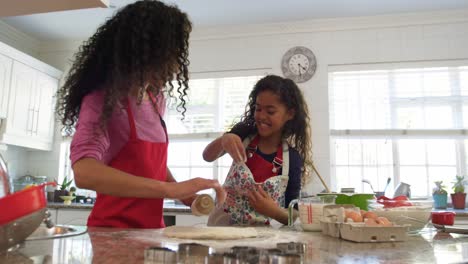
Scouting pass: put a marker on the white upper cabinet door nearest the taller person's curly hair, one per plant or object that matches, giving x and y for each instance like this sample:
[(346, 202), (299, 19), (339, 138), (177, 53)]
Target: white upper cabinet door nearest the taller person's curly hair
[(43, 125)]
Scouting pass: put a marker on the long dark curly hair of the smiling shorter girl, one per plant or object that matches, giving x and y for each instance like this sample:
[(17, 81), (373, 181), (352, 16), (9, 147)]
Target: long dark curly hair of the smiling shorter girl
[(296, 131)]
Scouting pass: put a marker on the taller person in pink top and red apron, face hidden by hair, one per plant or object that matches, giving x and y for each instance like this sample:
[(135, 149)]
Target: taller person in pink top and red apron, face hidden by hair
[(114, 95)]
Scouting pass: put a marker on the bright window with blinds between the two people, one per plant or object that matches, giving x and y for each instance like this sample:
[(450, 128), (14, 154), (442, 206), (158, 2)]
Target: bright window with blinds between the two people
[(215, 104)]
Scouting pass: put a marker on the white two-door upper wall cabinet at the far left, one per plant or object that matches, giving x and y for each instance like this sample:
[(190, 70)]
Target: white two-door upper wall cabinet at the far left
[(30, 117)]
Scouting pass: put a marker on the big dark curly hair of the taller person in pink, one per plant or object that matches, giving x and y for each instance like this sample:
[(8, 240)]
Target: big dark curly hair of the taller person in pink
[(144, 46)]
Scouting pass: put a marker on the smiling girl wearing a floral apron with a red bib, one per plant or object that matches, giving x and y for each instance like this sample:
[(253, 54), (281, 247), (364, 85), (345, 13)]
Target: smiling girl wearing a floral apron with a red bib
[(273, 139)]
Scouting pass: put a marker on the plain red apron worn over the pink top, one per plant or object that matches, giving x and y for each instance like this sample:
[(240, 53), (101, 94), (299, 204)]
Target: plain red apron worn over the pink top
[(143, 159)]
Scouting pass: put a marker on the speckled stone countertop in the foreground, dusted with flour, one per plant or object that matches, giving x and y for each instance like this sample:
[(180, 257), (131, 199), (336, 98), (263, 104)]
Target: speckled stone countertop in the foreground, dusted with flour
[(109, 245)]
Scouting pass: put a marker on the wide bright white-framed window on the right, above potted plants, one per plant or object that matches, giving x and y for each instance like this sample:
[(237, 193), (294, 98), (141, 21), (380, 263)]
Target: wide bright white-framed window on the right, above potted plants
[(406, 122)]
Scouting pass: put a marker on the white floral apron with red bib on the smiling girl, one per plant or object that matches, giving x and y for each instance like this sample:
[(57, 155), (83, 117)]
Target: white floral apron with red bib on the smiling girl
[(244, 177)]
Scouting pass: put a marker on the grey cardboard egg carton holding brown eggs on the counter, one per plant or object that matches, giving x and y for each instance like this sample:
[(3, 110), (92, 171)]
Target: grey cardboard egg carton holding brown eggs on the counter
[(358, 232)]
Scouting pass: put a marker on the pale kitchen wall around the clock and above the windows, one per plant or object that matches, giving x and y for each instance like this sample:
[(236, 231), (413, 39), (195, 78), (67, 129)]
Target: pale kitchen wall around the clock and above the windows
[(406, 37)]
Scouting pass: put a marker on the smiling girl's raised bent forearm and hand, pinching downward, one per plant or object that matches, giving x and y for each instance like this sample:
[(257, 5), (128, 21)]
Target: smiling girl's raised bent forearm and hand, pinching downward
[(230, 143)]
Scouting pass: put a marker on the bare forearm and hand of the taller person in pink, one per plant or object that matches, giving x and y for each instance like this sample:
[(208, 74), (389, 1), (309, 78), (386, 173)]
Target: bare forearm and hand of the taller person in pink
[(94, 175)]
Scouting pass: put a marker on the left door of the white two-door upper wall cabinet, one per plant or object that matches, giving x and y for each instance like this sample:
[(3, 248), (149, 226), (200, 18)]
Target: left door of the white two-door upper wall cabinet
[(20, 110)]
